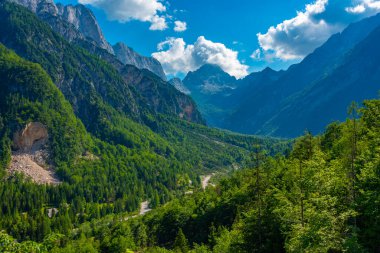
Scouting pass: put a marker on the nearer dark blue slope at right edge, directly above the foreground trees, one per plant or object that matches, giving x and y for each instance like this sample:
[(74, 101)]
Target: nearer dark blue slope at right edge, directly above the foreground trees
[(356, 79)]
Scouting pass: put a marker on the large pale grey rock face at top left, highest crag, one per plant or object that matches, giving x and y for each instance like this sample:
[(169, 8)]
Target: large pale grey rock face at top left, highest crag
[(82, 19)]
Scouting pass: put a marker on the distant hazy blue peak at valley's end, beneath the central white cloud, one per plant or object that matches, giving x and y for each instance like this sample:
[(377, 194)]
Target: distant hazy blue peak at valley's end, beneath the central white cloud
[(219, 95)]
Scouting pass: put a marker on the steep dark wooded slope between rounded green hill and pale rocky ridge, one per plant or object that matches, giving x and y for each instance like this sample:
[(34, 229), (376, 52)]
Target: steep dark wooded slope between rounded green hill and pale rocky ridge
[(84, 78)]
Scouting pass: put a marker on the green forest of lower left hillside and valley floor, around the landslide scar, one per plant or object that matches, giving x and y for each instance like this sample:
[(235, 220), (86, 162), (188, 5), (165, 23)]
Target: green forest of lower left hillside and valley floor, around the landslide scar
[(156, 167)]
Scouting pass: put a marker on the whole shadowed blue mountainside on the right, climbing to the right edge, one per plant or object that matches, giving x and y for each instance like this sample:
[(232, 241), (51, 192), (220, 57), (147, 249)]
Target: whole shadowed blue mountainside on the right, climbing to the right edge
[(256, 115)]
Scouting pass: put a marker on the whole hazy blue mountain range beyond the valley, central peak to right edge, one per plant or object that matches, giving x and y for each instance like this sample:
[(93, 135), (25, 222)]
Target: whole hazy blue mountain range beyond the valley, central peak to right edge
[(307, 96)]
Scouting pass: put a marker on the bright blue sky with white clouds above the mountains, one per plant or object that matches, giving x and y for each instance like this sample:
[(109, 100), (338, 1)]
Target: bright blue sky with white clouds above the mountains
[(225, 32)]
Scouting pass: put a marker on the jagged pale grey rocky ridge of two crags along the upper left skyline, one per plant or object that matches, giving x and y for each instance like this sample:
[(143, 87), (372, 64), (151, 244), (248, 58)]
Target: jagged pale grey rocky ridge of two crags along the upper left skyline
[(79, 23)]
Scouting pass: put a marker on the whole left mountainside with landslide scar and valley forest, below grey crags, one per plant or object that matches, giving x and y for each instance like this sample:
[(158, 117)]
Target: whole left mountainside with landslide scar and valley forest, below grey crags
[(83, 136)]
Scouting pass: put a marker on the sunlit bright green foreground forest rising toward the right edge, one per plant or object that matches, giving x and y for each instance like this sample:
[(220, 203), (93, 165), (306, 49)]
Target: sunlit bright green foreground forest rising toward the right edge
[(321, 197)]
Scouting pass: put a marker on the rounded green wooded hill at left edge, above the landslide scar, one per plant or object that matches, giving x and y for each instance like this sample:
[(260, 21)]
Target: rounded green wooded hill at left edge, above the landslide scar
[(28, 94)]
